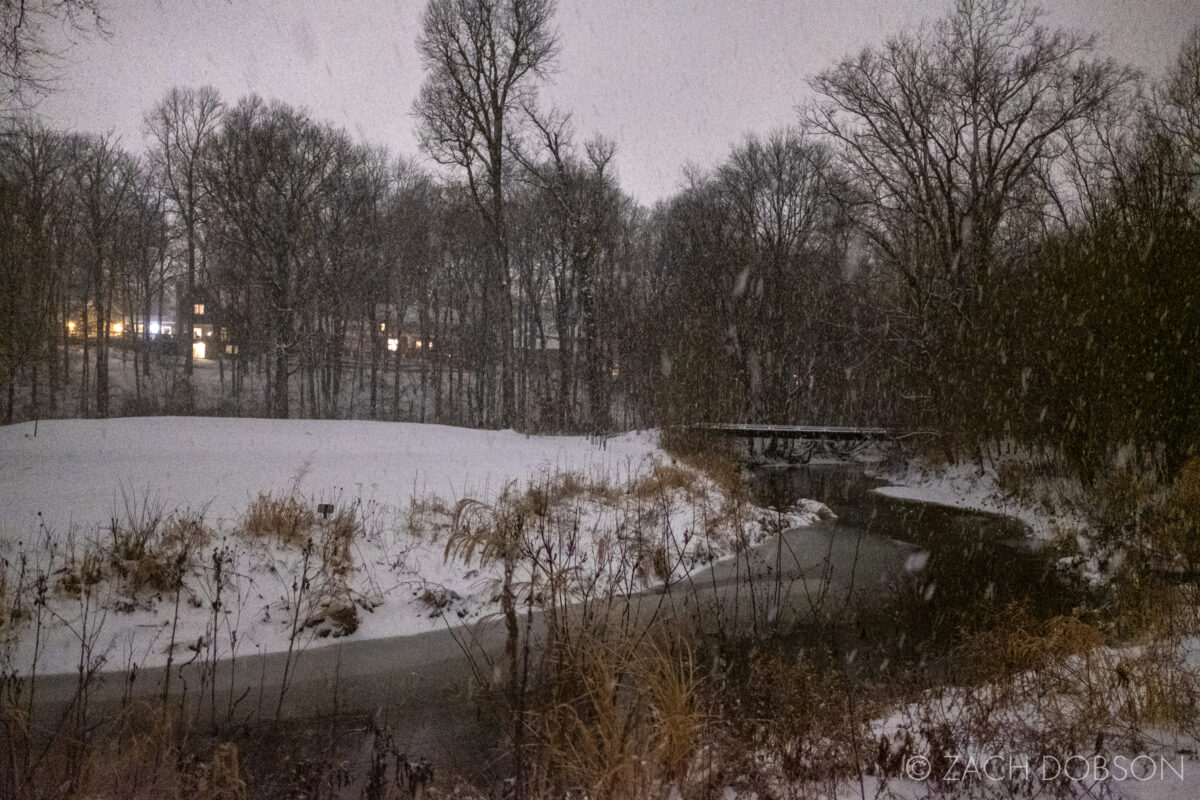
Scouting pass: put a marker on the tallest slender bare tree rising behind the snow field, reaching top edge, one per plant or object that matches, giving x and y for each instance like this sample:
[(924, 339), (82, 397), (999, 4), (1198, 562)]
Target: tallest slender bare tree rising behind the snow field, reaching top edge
[(483, 58)]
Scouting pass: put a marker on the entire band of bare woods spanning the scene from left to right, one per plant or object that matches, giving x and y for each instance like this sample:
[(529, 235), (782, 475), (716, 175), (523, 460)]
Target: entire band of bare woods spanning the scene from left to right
[(982, 227)]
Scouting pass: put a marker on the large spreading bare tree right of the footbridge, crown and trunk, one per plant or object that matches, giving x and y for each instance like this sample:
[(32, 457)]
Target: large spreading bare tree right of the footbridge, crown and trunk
[(949, 136)]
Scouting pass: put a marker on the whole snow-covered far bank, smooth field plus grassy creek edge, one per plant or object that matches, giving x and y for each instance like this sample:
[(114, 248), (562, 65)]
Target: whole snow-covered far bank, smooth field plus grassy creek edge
[(65, 492)]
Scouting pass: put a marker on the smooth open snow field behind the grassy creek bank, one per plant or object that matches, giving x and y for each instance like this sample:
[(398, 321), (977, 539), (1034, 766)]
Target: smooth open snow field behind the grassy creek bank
[(76, 473)]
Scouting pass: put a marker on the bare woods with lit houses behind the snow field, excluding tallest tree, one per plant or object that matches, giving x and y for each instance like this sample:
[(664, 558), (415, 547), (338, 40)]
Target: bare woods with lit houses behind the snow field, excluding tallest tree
[(309, 252)]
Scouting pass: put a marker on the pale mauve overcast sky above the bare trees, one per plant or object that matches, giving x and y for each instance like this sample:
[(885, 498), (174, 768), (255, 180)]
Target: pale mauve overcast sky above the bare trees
[(670, 81)]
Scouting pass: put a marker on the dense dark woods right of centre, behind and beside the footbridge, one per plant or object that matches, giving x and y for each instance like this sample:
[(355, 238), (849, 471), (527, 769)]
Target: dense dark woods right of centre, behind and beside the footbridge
[(982, 228)]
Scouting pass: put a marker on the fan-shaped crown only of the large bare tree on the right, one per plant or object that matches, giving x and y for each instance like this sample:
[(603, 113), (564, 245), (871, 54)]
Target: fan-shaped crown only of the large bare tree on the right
[(944, 130)]
